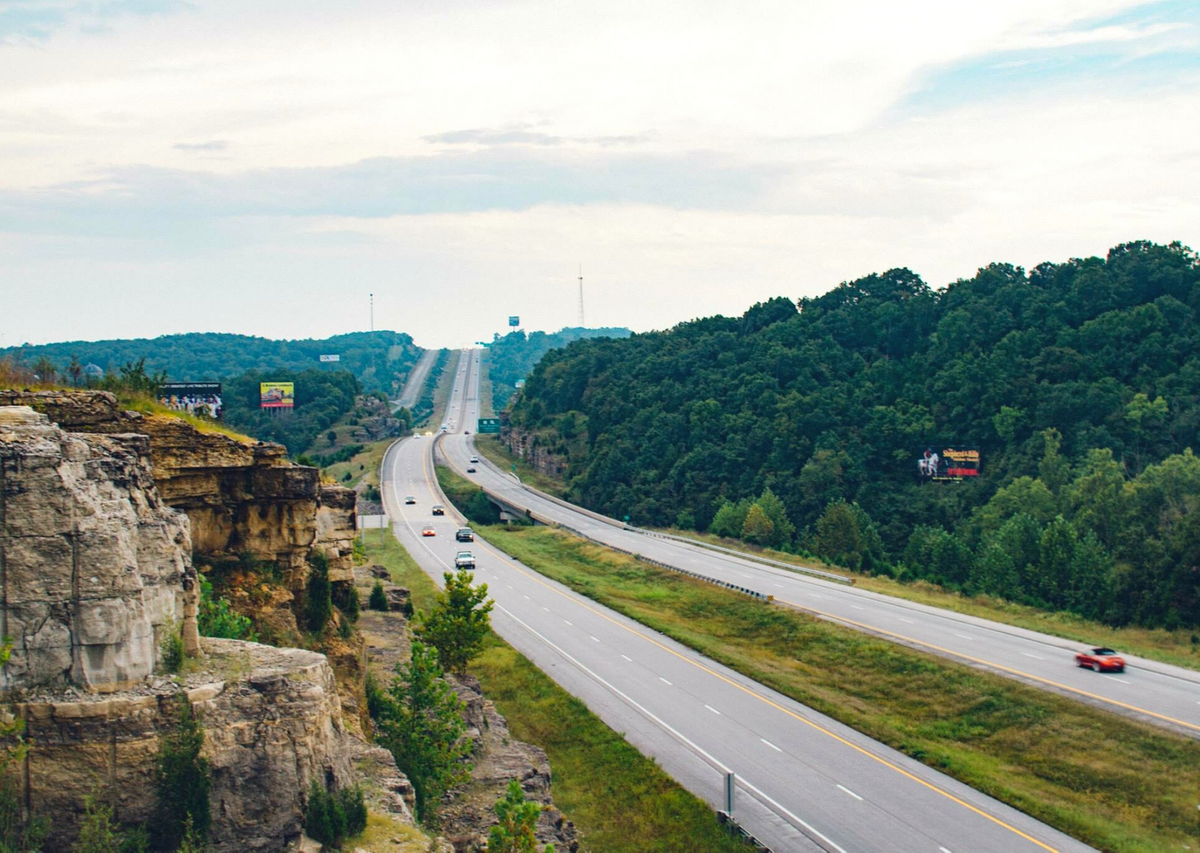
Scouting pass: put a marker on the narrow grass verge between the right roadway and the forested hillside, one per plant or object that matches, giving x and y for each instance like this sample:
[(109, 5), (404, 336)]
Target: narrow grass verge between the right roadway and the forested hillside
[(1180, 647)]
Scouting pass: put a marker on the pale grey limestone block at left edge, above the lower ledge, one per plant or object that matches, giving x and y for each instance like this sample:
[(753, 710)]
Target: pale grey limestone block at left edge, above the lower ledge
[(93, 560)]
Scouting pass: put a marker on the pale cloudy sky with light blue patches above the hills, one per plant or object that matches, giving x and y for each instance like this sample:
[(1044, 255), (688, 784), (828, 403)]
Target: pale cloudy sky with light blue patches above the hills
[(172, 166)]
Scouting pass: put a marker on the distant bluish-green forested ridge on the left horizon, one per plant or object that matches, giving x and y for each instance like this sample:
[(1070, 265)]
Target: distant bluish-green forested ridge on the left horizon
[(380, 361)]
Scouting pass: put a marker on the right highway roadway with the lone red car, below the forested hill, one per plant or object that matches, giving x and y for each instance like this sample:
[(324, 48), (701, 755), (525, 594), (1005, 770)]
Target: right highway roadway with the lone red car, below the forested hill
[(1151, 692)]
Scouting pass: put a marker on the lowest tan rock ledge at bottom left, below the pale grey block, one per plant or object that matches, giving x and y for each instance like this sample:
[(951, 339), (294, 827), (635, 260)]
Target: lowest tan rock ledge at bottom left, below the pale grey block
[(272, 724)]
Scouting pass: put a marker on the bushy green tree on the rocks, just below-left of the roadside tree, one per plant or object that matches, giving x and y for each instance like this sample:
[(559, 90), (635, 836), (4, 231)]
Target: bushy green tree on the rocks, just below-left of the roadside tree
[(421, 722)]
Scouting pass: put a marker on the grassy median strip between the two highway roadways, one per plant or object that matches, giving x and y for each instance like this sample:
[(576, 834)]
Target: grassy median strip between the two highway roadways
[(1106, 780)]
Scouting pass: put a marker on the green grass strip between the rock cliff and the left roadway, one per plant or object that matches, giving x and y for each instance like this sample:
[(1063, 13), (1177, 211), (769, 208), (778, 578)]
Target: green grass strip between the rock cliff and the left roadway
[(620, 800)]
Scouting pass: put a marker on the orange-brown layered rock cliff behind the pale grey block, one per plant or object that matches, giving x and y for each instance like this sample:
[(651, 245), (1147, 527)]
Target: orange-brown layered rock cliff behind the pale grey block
[(241, 497)]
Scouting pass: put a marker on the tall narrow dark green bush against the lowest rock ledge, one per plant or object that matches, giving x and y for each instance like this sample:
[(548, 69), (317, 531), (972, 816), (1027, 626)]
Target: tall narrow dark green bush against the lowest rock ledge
[(182, 783)]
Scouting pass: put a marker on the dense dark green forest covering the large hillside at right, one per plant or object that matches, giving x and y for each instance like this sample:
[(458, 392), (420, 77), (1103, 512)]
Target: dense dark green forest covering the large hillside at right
[(800, 425)]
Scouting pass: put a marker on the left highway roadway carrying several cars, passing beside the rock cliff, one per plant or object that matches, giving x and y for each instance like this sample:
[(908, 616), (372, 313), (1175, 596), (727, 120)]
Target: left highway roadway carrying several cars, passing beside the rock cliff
[(806, 783)]
